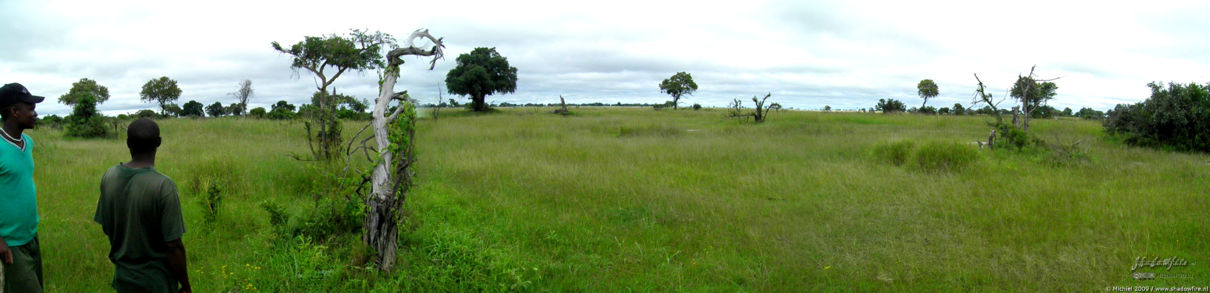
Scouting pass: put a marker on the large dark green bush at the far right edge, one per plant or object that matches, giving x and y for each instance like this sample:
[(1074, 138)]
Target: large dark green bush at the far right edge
[(1174, 118)]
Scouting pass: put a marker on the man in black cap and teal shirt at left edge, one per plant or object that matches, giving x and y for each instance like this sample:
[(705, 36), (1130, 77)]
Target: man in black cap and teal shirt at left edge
[(20, 251)]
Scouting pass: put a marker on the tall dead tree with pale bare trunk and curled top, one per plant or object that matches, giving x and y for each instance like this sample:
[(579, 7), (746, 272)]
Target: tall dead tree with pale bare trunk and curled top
[(395, 137)]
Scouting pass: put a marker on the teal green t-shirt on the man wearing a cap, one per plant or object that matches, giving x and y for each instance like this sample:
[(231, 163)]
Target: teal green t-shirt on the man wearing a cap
[(19, 197)]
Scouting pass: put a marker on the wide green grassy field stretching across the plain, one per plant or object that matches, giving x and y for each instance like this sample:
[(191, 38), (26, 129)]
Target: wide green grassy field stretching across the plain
[(643, 200)]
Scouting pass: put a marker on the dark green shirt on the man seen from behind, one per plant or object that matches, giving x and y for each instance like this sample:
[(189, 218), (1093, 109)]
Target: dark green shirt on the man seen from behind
[(141, 212)]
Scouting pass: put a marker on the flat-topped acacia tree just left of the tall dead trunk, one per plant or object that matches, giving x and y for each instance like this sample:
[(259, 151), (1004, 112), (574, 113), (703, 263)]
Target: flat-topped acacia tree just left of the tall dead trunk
[(333, 55)]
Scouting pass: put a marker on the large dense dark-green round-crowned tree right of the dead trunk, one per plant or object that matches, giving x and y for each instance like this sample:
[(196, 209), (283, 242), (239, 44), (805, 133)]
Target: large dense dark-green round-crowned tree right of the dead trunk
[(481, 73)]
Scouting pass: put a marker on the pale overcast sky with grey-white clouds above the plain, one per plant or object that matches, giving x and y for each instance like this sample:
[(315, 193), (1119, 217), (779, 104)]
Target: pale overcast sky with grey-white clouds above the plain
[(809, 55)]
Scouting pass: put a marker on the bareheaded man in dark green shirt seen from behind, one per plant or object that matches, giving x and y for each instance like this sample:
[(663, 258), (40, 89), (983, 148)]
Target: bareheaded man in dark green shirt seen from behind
[(141, 214)]
